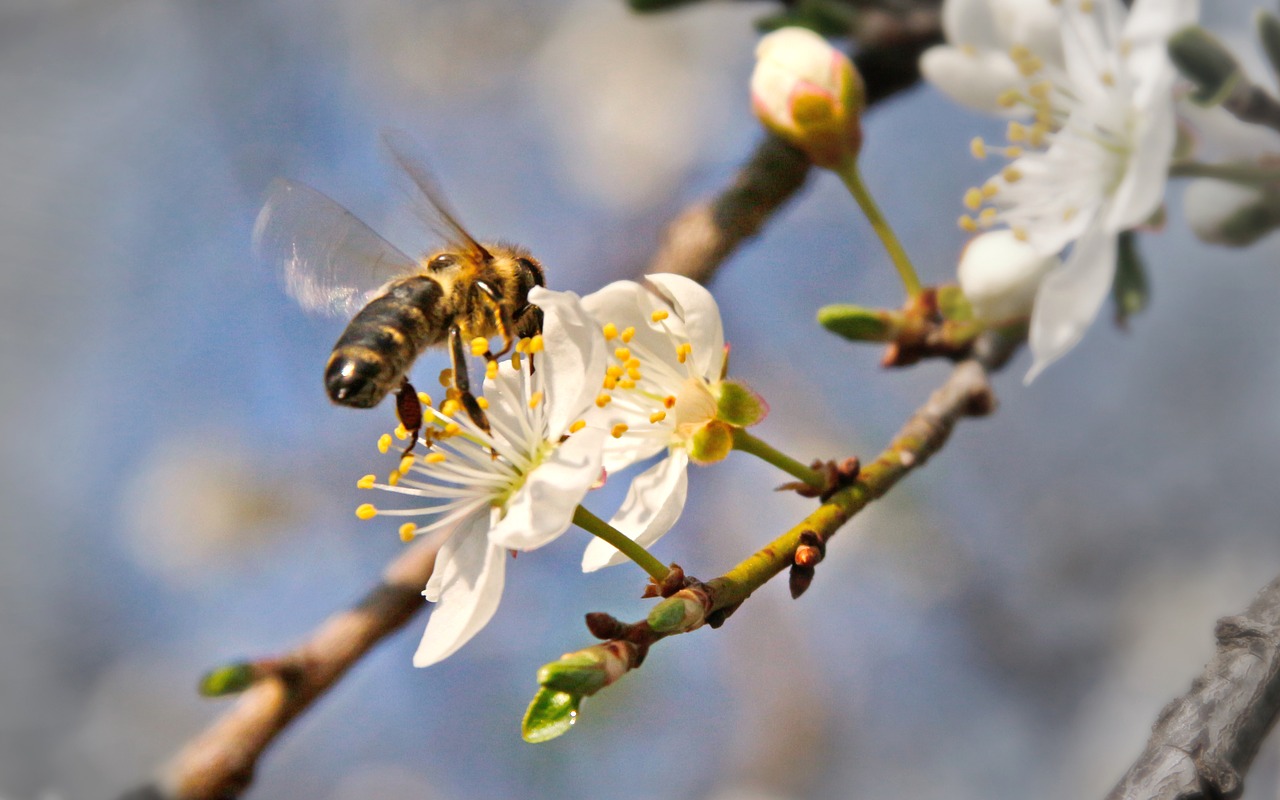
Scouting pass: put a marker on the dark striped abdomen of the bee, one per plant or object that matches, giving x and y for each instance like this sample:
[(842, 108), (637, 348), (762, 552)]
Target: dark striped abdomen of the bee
[(382, 342)]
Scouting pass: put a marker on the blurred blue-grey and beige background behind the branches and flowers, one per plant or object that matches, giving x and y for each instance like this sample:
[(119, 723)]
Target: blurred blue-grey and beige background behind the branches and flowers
[(179, 492)]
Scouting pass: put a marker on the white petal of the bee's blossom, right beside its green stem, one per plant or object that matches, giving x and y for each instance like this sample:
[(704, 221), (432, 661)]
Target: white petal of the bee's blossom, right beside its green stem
[(543, 509)]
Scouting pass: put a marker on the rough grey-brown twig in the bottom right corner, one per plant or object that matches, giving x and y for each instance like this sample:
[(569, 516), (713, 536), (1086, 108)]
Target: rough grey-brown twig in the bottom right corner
[(1204, 742)]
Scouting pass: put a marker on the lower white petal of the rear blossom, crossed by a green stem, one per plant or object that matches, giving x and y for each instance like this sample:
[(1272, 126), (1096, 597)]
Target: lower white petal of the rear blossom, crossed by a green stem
[(653, 505)]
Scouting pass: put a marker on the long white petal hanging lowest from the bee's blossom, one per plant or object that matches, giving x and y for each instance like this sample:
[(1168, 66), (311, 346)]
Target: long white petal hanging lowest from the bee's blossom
[(470, 591)]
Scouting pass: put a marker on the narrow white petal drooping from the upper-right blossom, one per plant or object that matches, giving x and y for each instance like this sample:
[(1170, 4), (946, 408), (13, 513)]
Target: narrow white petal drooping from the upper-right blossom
[(1071, 298)]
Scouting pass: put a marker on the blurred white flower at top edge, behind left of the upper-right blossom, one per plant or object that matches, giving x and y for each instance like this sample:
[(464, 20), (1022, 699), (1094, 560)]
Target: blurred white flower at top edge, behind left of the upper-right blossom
[(995, 48)]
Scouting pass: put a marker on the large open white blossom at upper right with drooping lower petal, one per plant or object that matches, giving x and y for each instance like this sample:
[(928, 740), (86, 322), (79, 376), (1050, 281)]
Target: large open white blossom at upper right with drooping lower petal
[(1101, 171)]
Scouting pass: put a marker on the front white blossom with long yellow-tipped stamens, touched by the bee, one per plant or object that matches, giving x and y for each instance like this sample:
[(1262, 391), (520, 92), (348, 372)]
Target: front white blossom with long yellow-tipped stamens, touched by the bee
[(514, 488)]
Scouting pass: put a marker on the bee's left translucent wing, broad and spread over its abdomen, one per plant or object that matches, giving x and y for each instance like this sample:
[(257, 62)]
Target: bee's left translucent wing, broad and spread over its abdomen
[(330, 262)]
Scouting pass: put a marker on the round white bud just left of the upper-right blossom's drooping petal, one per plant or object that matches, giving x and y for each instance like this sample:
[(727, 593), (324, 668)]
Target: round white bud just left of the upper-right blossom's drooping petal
[(1000, 275)]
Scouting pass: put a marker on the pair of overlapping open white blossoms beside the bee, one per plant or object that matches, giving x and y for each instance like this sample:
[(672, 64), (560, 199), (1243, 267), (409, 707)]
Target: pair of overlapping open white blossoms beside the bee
[(628, 374)]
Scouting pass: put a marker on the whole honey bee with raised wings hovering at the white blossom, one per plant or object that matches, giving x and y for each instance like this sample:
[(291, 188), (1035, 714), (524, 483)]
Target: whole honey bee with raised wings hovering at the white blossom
[(331, 263)]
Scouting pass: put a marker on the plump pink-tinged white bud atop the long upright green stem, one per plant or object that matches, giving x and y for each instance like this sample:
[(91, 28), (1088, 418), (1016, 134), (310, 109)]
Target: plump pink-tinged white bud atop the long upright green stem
[(810, 94)]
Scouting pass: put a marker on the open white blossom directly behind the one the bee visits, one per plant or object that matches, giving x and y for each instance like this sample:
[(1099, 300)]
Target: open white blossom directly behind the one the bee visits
[(664, 394)]
